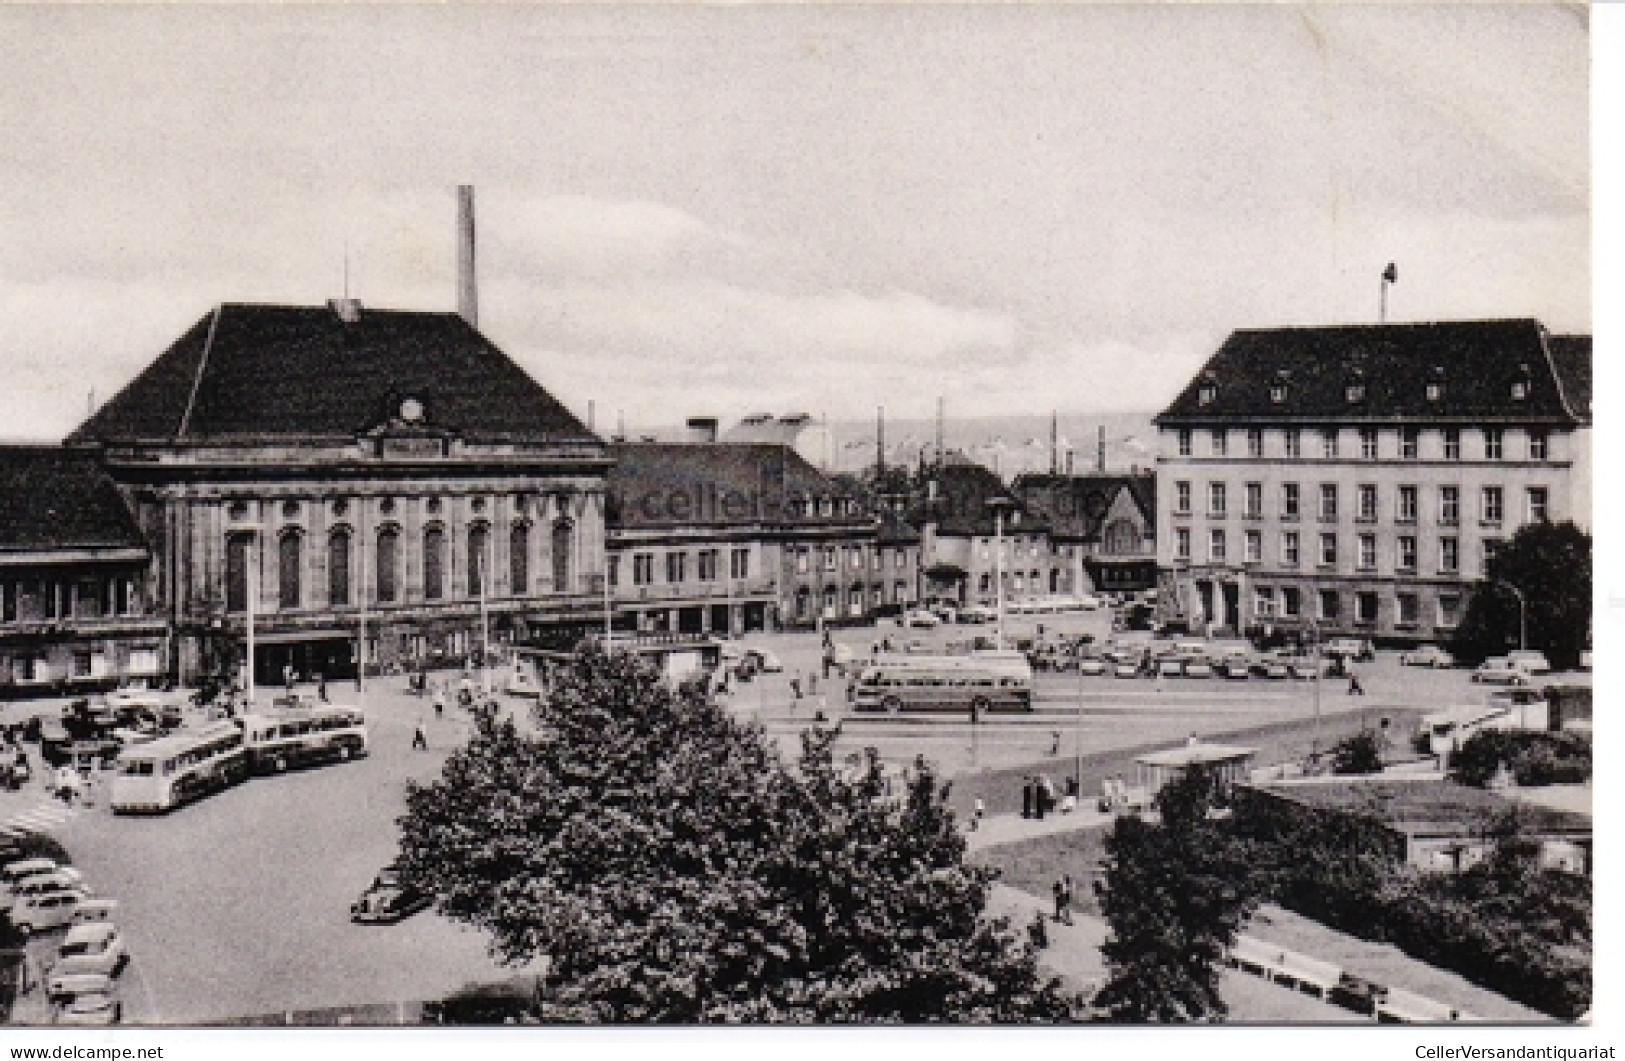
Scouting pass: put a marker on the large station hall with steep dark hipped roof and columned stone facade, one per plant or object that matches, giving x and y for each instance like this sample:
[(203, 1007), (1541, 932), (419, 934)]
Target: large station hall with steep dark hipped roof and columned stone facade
[(353, 477)]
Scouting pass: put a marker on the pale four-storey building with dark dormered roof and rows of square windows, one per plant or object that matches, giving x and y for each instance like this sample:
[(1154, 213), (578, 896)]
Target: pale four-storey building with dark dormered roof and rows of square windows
[(1361, 479)]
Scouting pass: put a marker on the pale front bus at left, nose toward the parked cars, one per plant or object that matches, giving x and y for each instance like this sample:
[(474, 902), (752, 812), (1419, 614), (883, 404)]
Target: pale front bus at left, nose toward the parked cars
[(168, 773)]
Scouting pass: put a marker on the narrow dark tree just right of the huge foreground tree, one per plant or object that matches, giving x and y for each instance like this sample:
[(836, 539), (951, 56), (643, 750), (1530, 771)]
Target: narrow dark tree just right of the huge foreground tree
[(1176, 894)]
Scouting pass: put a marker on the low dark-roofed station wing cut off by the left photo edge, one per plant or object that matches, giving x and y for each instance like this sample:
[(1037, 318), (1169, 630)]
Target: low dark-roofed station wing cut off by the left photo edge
[(76, 613)]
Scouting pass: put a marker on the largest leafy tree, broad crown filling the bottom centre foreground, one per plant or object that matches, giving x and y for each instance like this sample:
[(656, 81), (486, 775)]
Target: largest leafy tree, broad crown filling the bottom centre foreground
[(672, 868)]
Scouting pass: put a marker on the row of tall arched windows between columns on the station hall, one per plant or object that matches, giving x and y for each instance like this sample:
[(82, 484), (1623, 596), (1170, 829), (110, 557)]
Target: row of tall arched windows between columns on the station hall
[(435, 555)]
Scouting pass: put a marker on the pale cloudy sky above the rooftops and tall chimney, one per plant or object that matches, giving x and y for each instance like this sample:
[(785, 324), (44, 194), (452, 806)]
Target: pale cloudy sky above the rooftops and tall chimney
[(735, 209)]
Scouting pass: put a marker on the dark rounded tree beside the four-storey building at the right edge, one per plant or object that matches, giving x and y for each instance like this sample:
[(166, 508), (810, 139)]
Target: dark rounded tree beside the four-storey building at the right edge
[(1551, 566)]
